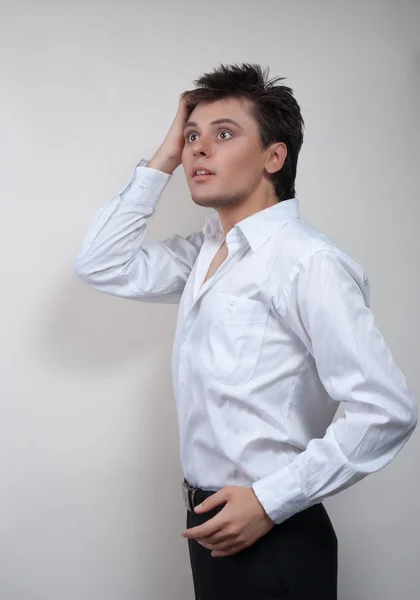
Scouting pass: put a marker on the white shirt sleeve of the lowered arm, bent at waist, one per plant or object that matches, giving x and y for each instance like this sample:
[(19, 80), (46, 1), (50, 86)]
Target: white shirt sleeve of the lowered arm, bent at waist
[(326, 304)]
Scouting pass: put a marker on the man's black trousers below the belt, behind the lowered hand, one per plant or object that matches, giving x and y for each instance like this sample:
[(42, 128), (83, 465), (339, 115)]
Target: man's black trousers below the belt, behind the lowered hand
[(295, 560)]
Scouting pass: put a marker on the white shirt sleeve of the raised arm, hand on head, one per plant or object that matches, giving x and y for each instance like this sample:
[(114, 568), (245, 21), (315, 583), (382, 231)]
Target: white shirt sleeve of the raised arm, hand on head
[(115, 258)]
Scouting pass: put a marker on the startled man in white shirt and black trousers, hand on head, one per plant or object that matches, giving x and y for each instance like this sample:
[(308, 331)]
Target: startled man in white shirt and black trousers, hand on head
[(274, 331)]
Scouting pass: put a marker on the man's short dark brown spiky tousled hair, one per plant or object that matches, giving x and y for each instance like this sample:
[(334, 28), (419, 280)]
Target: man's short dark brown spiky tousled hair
[(273, 107)]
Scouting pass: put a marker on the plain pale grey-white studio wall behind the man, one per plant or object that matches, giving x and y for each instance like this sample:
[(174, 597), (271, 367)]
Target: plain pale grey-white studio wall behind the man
[(90, 496)]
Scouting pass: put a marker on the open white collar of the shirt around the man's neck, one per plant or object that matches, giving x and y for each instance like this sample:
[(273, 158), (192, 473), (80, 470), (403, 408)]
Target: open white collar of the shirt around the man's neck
[(260, 226)]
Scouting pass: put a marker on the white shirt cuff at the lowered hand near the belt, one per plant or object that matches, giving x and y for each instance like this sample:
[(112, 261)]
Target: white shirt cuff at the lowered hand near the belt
[(281, 494)]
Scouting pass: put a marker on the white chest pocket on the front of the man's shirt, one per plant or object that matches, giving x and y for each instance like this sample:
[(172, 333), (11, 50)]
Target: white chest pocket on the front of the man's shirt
[(232, 338)]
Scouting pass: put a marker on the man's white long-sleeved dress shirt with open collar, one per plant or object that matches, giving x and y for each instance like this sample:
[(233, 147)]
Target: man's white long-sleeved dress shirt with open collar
[(264, 351)]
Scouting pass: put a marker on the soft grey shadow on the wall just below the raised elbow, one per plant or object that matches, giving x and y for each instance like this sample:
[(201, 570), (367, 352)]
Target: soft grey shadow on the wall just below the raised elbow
[(87, 329)]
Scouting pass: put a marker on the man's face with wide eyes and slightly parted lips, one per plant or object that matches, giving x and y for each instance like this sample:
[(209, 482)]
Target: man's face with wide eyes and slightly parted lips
[(232, 151)]
